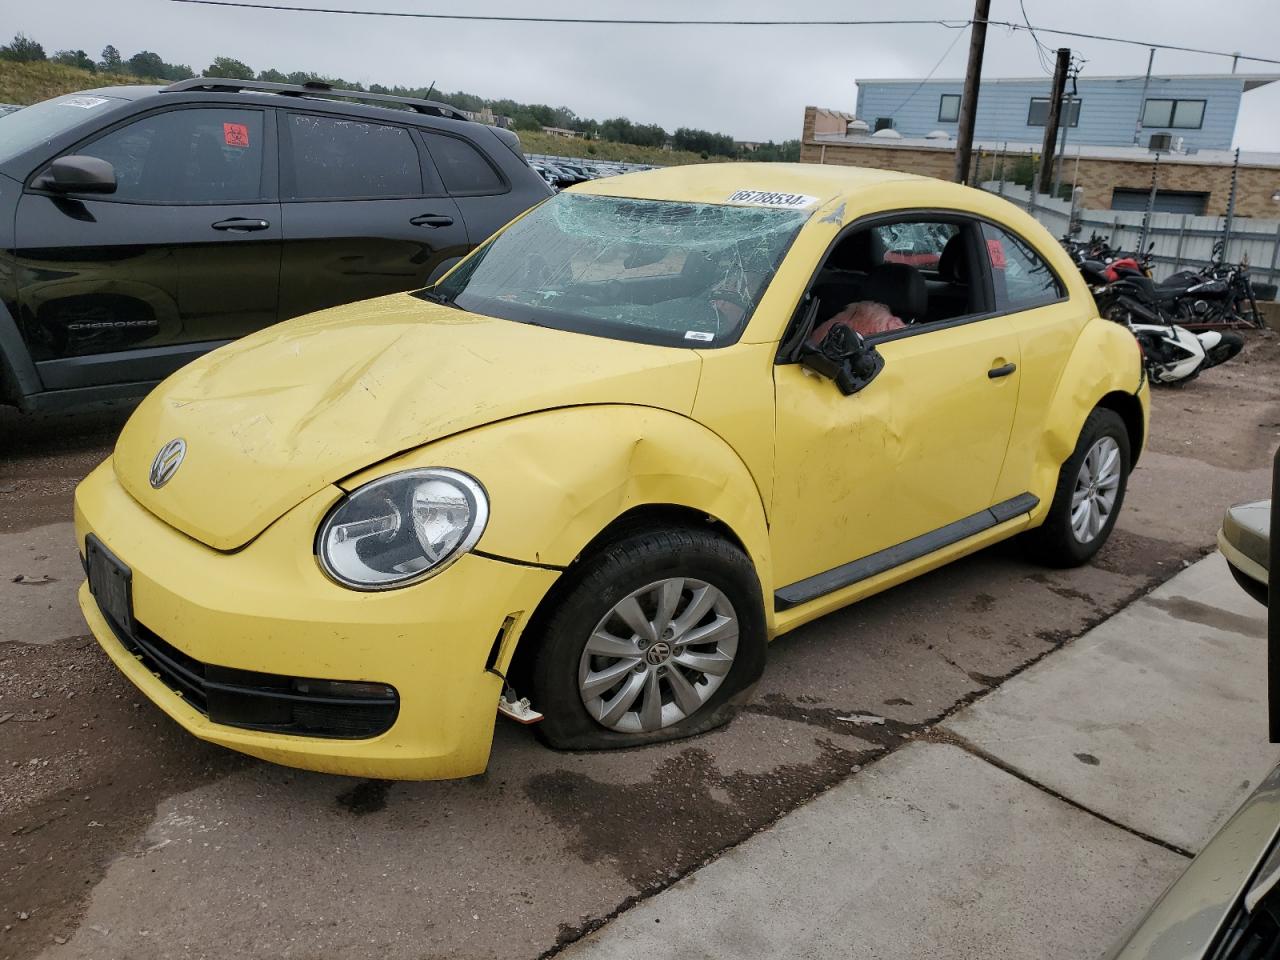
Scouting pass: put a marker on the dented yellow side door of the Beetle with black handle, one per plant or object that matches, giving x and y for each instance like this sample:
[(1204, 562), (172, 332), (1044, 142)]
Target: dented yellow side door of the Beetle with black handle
[(871, 481)]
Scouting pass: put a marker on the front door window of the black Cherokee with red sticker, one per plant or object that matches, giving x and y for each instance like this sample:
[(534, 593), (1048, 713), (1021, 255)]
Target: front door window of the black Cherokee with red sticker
[(186, 157)]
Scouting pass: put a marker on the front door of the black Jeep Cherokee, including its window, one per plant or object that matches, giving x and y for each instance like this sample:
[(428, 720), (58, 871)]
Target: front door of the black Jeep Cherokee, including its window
[(184, 257)]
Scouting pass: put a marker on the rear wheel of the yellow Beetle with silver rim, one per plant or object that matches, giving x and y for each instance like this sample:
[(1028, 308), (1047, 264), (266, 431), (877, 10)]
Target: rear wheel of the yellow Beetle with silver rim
[(1090, 495)]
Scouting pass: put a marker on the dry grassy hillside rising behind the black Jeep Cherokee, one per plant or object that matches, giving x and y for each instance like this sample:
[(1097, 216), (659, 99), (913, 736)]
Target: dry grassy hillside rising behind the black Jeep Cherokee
[(33, 83)]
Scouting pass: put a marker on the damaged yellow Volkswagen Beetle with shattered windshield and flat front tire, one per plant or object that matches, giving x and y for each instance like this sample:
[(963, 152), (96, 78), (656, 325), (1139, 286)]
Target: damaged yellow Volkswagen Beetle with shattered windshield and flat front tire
[(648, 427)]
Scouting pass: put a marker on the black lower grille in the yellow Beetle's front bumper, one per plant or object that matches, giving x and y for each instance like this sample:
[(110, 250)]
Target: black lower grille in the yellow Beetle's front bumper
[(253, 701)]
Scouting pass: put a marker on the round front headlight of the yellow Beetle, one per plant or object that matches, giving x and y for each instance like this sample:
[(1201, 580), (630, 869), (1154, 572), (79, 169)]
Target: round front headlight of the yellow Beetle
[(403, 529)]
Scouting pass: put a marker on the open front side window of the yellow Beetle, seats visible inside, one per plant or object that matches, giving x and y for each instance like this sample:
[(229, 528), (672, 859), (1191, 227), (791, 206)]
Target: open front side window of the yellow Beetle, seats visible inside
[(907, 273)]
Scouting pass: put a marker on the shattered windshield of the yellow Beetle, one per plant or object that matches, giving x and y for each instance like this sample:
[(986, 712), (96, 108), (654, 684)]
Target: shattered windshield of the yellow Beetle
[(648, 271)]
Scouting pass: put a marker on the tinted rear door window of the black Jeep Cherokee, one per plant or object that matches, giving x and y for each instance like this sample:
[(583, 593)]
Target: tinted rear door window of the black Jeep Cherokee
[(336, 159)]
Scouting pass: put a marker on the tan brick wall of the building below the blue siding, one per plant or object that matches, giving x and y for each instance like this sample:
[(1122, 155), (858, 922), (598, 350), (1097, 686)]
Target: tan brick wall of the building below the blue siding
[(1099, 177)]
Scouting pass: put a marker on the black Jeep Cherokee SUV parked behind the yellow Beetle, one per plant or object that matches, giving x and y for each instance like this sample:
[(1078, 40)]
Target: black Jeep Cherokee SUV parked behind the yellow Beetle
[(145, 226)]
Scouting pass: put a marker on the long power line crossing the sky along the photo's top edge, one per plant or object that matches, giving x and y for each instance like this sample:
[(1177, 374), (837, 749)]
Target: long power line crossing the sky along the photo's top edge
[(637, 22)]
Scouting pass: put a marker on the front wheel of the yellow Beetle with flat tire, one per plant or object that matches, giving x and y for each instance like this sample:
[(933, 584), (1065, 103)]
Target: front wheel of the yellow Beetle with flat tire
[(660, 637)]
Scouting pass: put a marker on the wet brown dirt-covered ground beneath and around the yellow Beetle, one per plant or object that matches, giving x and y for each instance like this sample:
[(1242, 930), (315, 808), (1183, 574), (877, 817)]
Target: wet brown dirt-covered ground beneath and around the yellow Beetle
[(122, 836)]
